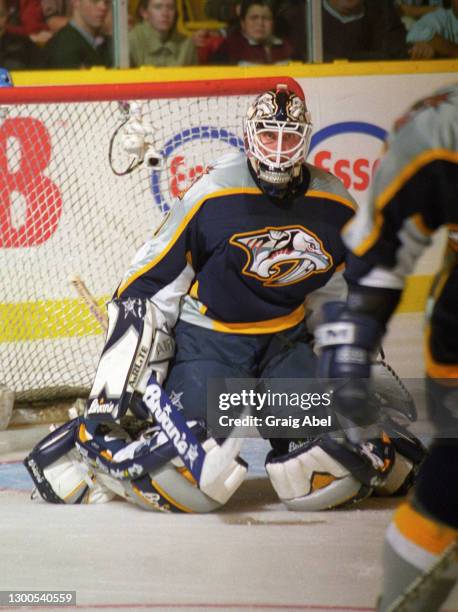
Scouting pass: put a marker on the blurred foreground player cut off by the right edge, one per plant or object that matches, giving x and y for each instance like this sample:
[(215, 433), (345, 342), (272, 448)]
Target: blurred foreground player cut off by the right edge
[(414, 193)]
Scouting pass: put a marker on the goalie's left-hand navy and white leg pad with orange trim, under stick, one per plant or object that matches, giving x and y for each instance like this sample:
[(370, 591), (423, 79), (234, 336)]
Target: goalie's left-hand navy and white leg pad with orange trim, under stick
[(148, 472)]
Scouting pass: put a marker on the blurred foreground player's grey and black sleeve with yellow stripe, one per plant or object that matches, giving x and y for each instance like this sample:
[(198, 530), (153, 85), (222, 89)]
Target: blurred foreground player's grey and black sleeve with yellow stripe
[(413, 194)]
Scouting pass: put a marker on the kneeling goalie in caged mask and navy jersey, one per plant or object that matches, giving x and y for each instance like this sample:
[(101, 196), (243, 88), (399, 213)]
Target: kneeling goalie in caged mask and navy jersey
[(218, 292)]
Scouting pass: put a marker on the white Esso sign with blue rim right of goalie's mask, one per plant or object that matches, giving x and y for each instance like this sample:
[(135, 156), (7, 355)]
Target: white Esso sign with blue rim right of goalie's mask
[(349, 150)]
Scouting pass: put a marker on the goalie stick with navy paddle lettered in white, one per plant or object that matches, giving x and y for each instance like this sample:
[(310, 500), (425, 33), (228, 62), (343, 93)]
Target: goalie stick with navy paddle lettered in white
[(205, 465)]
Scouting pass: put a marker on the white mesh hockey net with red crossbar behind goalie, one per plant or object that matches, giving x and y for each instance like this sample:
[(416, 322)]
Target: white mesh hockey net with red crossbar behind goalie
[(64, 213)]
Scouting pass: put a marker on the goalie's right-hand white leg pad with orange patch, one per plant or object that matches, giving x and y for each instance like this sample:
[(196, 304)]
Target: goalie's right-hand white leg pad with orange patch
[(310, 479)]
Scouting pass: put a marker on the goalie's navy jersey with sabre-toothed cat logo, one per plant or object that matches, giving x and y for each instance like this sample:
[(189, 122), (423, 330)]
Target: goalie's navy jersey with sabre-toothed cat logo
[(231, 259)]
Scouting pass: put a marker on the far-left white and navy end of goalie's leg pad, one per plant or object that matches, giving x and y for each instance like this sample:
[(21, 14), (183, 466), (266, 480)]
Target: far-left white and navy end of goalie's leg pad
[(59, 474)]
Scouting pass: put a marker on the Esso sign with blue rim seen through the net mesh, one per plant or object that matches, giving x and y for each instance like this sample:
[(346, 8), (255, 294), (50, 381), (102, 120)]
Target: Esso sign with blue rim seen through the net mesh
[(186, 156)]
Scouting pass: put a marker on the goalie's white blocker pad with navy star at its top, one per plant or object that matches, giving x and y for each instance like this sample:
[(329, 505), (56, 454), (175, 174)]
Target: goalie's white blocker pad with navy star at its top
[(137, 344)]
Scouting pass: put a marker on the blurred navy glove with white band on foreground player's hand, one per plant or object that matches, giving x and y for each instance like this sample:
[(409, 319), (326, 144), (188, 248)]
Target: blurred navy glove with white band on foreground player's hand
[(346, 342)]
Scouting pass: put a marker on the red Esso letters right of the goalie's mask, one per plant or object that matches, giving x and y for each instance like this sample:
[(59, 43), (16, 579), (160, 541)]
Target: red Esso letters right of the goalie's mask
[(354, 173)]
